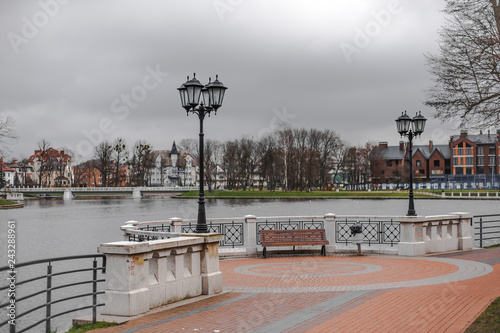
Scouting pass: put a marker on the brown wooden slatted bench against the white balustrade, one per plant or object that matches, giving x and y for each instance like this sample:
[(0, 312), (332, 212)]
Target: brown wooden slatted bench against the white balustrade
[(293, 238)]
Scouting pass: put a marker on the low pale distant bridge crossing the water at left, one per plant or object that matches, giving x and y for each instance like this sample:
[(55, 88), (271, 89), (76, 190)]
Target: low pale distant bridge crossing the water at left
[(134, 191)]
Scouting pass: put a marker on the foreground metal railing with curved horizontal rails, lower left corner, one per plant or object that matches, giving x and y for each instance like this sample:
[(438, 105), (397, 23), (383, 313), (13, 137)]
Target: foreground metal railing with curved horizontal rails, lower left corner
[(54, 283)]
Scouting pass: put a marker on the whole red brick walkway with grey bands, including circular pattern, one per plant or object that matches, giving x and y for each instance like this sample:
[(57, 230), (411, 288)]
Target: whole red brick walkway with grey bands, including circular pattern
[(442, 293)]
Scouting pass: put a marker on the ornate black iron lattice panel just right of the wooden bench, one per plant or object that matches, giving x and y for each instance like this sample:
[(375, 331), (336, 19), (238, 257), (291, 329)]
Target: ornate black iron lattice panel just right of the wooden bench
[(374, 231)]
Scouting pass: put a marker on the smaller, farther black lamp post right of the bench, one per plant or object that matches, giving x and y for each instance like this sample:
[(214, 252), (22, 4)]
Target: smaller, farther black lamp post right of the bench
[(411, 128)]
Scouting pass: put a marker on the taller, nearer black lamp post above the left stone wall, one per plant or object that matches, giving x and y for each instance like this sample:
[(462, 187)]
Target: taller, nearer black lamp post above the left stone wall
[(213, 95)]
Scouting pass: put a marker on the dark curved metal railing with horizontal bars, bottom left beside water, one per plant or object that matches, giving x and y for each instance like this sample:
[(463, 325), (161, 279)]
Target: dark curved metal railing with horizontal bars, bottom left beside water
[(52, 290)]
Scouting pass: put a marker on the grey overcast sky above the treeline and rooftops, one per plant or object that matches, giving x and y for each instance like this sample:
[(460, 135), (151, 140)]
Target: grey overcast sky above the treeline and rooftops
[(76, 72)]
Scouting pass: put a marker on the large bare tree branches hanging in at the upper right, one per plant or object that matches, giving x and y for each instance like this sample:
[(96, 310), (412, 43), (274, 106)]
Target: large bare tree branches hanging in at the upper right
[(466, 71)]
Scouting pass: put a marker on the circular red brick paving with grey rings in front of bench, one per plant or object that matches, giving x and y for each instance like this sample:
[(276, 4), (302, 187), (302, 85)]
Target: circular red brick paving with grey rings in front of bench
[(322, 274)]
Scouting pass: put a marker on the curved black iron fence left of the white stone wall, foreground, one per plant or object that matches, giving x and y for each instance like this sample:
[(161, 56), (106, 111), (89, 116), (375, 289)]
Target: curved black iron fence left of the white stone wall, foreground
[(60, 287)]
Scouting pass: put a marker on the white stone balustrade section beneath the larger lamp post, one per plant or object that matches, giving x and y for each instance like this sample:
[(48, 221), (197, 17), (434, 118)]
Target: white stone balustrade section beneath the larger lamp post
[(141, 276)]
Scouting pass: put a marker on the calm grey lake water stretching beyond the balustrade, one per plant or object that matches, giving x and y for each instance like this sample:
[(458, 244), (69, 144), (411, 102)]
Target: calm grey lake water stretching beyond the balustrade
[(47, 228)]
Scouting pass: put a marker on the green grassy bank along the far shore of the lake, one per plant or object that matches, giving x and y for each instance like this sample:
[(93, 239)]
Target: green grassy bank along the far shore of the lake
[(294, 194)]
